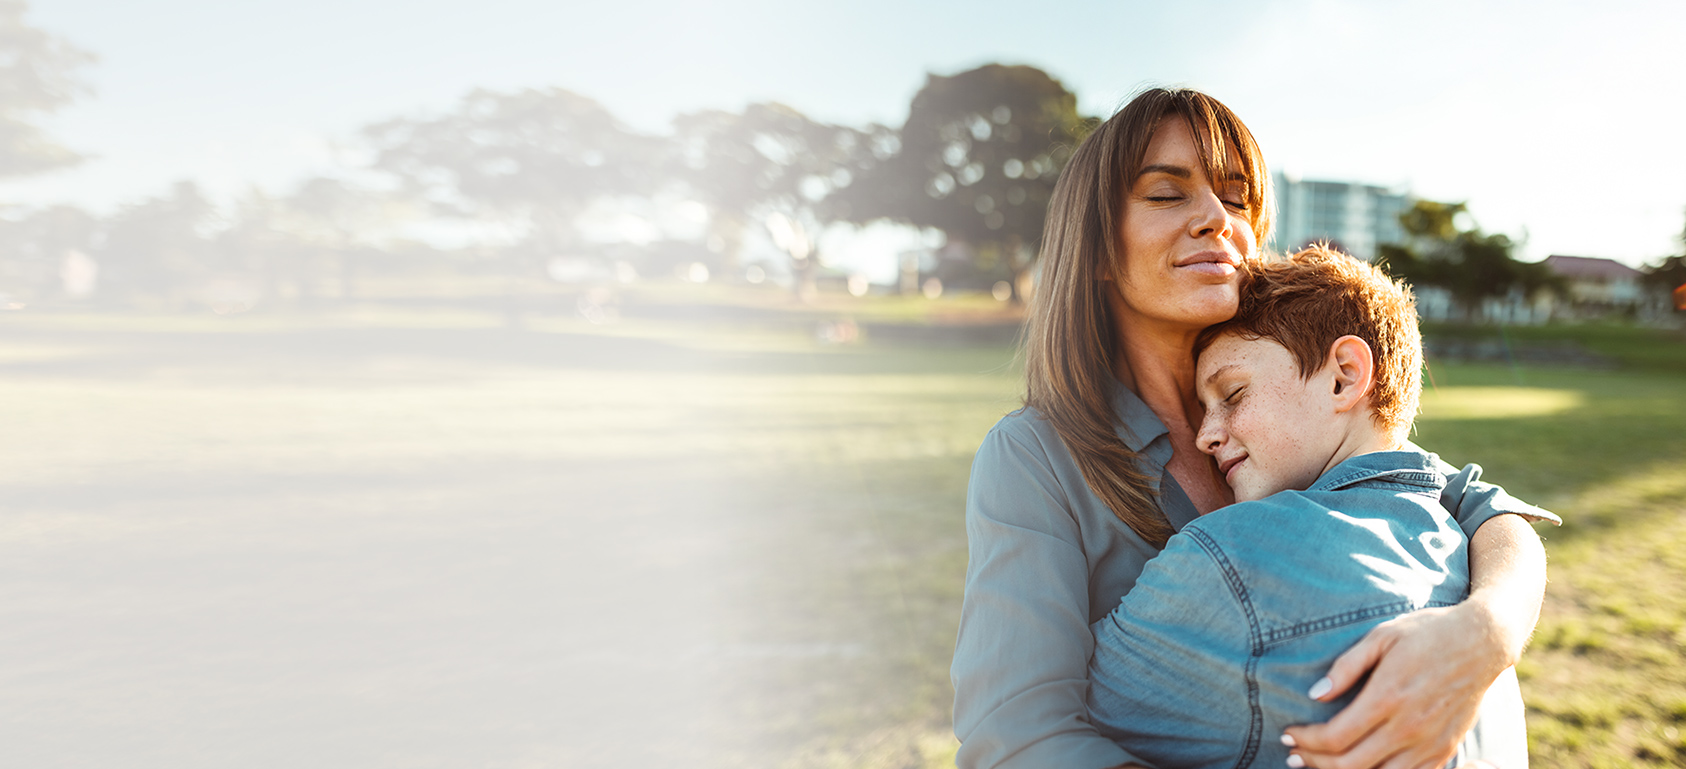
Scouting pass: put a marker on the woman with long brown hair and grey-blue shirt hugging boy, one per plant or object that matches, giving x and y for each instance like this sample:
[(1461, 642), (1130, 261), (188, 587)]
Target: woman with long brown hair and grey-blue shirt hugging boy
[(1075, 493)]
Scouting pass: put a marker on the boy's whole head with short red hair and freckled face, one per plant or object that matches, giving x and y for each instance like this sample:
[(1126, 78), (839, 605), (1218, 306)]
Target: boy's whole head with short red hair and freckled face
[(1321, 363)]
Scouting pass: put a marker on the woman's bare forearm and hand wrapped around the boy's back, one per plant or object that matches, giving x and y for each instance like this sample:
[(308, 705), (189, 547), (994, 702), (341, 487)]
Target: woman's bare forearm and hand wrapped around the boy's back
[(1431, 670)]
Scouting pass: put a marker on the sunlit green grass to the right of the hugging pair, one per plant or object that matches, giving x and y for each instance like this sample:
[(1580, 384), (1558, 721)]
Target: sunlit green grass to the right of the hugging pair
[(1606, 675)]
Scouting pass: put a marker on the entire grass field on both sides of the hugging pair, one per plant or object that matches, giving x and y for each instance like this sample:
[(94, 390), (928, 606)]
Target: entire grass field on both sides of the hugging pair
[(379, 539)]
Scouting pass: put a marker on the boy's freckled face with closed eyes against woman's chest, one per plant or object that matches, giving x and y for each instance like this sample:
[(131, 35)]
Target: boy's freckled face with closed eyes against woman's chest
[(1265, 426)]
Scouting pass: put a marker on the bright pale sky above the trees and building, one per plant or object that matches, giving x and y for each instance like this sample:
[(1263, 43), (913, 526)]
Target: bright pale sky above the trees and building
[(1554, 121)]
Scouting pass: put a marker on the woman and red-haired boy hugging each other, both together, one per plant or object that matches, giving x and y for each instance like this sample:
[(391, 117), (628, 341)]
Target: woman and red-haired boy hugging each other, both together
[(1206, 540)]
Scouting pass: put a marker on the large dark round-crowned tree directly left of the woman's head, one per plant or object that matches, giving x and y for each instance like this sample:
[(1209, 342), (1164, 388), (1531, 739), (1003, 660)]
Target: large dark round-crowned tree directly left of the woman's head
[(979, 159)]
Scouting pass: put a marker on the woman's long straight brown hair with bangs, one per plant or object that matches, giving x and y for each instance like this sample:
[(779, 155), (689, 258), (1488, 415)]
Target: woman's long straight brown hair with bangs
[(1073, 336)]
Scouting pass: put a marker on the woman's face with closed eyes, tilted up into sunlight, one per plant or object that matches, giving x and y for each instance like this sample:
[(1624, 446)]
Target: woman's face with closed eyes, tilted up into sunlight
[(1184, 239)]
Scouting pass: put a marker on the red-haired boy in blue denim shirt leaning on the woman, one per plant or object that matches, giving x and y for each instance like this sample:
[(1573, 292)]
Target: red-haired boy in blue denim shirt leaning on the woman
[(1309, 397)]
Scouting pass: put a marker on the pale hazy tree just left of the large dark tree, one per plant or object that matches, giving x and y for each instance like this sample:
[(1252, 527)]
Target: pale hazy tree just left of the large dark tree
[(771, 166)]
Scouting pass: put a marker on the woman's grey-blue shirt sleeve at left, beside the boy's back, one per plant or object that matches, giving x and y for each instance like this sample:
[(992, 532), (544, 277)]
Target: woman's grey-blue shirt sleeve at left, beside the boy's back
[(1023, 653)]
